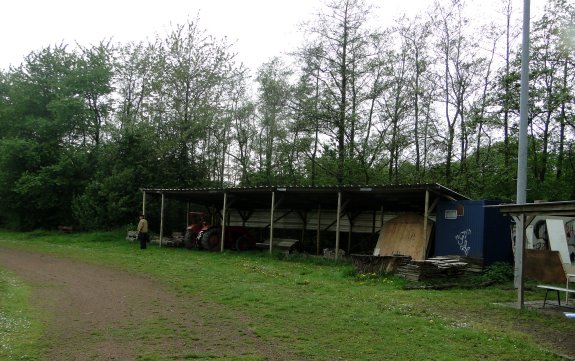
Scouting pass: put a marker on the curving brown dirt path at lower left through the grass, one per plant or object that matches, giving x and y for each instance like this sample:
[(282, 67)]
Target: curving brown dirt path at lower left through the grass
[(97, 313)]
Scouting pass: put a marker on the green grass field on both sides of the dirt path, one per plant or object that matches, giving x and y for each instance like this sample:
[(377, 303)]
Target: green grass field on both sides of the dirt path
[(322, 309)]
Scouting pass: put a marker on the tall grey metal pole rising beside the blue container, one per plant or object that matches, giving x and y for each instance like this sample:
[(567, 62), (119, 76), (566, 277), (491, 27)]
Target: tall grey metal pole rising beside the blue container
[(522, 154)]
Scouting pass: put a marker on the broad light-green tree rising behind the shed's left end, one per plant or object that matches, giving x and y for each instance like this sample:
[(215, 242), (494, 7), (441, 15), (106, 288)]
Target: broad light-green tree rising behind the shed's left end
[(192, 73)]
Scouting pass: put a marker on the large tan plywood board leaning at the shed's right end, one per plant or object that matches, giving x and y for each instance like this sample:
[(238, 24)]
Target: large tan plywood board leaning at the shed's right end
[(403, 235)]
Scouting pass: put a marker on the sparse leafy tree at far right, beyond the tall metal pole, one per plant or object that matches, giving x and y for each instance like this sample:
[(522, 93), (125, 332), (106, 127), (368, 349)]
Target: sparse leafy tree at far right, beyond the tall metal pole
[(552, 79)]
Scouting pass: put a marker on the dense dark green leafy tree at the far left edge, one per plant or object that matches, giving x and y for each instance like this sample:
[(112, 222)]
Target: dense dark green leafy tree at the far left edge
[(50, 135)]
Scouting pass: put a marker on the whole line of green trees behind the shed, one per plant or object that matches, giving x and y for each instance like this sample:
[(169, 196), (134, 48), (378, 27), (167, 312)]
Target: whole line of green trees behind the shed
[(433, 97)]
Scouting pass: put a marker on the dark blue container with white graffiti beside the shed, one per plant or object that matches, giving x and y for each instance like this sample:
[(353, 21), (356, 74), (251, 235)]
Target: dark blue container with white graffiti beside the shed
[(469, 229)]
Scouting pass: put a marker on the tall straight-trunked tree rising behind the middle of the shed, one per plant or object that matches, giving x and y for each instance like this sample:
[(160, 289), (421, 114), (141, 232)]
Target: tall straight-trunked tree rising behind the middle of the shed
[(338, 32)]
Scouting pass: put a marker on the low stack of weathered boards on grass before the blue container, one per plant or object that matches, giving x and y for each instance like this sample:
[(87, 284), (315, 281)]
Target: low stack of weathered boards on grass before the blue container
[(417, 270)]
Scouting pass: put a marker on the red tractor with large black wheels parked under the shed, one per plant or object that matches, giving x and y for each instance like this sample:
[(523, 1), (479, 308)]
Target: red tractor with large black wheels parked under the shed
[(202, 235)]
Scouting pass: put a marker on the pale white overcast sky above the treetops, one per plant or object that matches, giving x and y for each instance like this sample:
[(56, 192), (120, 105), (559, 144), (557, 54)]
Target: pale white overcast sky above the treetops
[(260, 29)]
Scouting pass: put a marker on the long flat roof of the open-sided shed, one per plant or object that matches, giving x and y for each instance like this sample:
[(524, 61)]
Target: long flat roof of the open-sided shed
[(396, 198)]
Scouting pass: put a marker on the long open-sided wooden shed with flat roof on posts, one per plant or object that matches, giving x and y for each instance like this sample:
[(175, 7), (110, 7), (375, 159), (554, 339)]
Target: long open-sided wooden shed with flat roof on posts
[(343, 210)]
